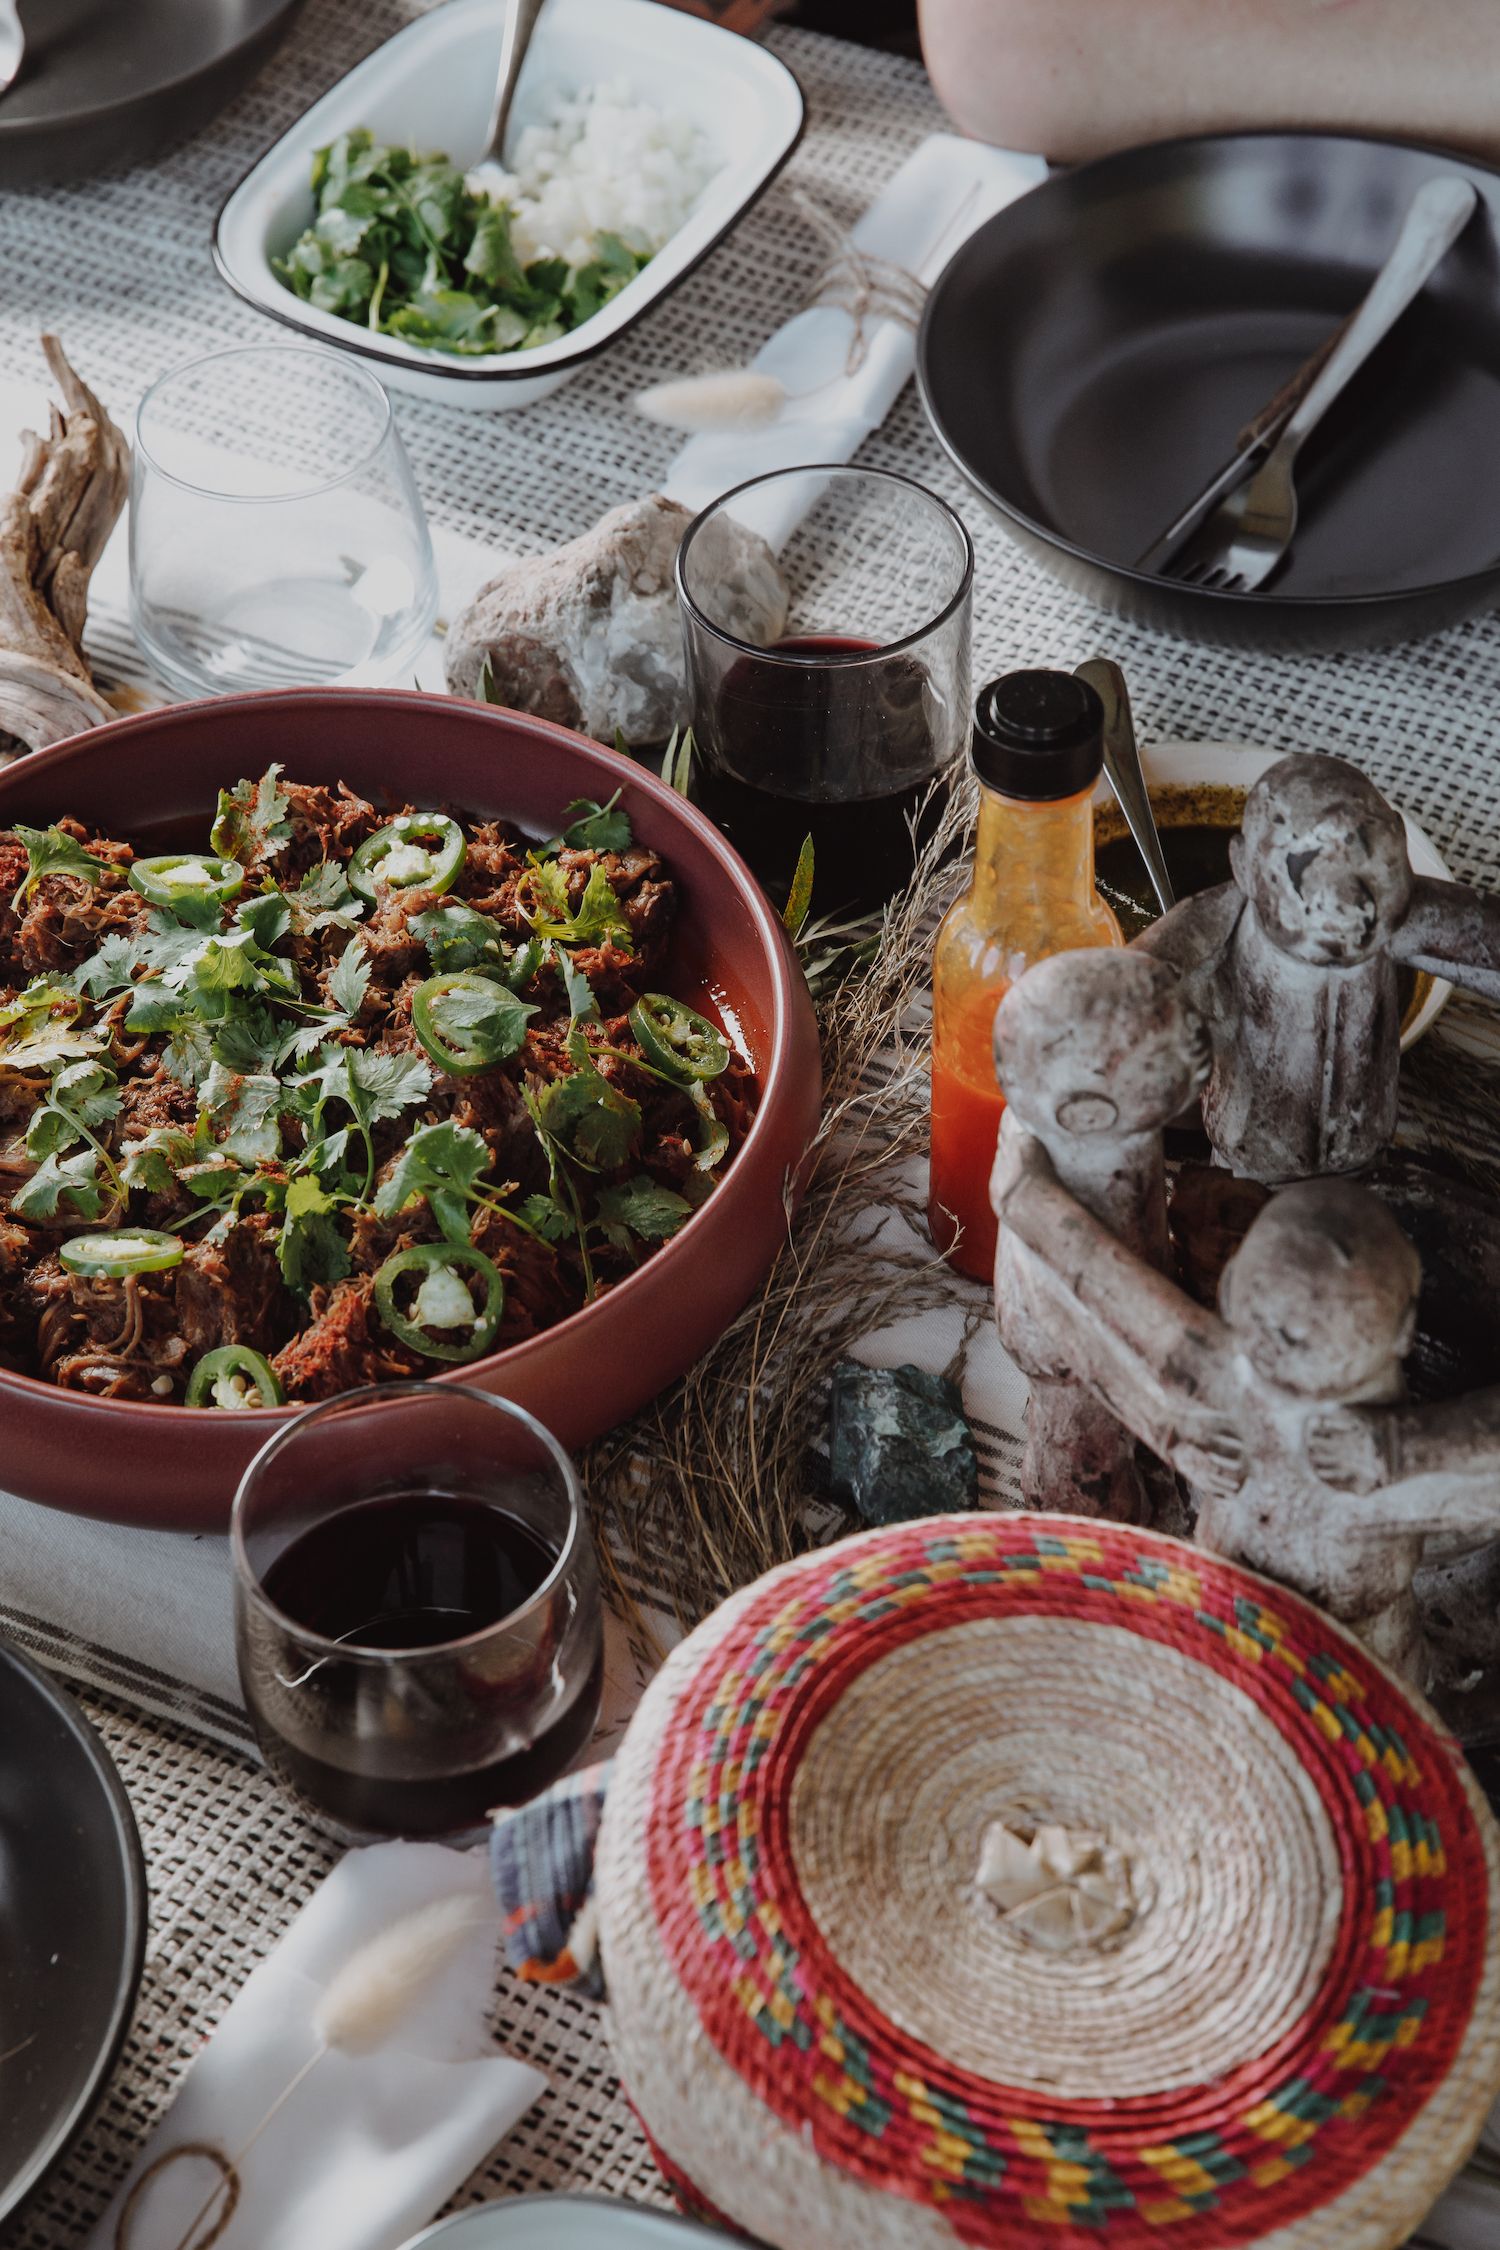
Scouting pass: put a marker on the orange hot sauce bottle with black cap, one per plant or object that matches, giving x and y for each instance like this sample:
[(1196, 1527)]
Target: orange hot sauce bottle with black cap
[(1038, 755)]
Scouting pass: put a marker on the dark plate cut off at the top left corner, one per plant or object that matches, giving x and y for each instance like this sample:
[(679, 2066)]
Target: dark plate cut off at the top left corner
[(111, 82)]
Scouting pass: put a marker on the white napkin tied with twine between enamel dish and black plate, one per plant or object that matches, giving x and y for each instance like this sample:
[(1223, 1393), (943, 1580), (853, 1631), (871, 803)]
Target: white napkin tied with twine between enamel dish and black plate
[(943, 192)]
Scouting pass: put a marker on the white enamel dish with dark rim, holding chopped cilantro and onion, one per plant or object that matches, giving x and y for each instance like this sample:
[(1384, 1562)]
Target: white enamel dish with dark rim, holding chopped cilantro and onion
[(431, 87)]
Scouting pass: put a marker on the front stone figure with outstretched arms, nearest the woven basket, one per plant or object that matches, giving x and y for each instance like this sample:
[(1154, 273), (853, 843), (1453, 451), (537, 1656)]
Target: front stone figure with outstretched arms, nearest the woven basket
[(1285, 1410)]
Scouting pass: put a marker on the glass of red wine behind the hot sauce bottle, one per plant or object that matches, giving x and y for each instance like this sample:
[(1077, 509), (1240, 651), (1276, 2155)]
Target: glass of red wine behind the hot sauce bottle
[(847, 726)]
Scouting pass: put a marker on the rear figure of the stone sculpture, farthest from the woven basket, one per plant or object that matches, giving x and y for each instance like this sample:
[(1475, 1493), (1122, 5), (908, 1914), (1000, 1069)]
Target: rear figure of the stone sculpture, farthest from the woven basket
[(1294, 966)]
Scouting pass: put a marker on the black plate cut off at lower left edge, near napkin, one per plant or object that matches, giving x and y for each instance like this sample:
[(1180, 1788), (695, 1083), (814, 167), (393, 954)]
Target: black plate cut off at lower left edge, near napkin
[(73, 1923)]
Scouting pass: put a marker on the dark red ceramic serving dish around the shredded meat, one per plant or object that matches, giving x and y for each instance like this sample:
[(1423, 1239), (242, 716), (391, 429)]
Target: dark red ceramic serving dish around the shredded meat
[(156, 780)]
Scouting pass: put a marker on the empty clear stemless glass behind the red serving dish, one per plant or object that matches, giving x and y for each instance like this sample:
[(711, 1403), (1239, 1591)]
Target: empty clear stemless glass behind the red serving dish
[(275, 532)]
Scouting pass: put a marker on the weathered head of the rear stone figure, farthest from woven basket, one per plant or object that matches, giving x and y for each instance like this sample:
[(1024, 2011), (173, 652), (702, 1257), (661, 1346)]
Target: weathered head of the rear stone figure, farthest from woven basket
[(1321, 858)]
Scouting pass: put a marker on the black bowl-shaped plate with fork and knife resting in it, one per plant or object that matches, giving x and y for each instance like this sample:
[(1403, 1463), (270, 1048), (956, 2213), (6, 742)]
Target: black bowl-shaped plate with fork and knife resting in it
[(1094, 350)]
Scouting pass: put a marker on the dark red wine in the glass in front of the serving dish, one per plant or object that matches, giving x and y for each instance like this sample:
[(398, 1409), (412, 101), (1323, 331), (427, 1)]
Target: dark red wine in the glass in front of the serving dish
[(419, 1572)]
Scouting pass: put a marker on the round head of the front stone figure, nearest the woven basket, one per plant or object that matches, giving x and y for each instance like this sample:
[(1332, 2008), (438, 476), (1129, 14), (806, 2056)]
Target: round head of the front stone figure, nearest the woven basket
[(1323, 1290)]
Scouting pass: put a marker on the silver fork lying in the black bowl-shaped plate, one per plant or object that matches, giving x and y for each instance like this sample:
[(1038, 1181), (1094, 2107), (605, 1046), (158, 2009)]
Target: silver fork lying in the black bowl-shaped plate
[(1254, 528)]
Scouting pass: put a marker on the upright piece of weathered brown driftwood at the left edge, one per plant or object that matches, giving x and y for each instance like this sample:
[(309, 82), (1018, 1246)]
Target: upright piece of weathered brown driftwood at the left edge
[(53, 532)]
